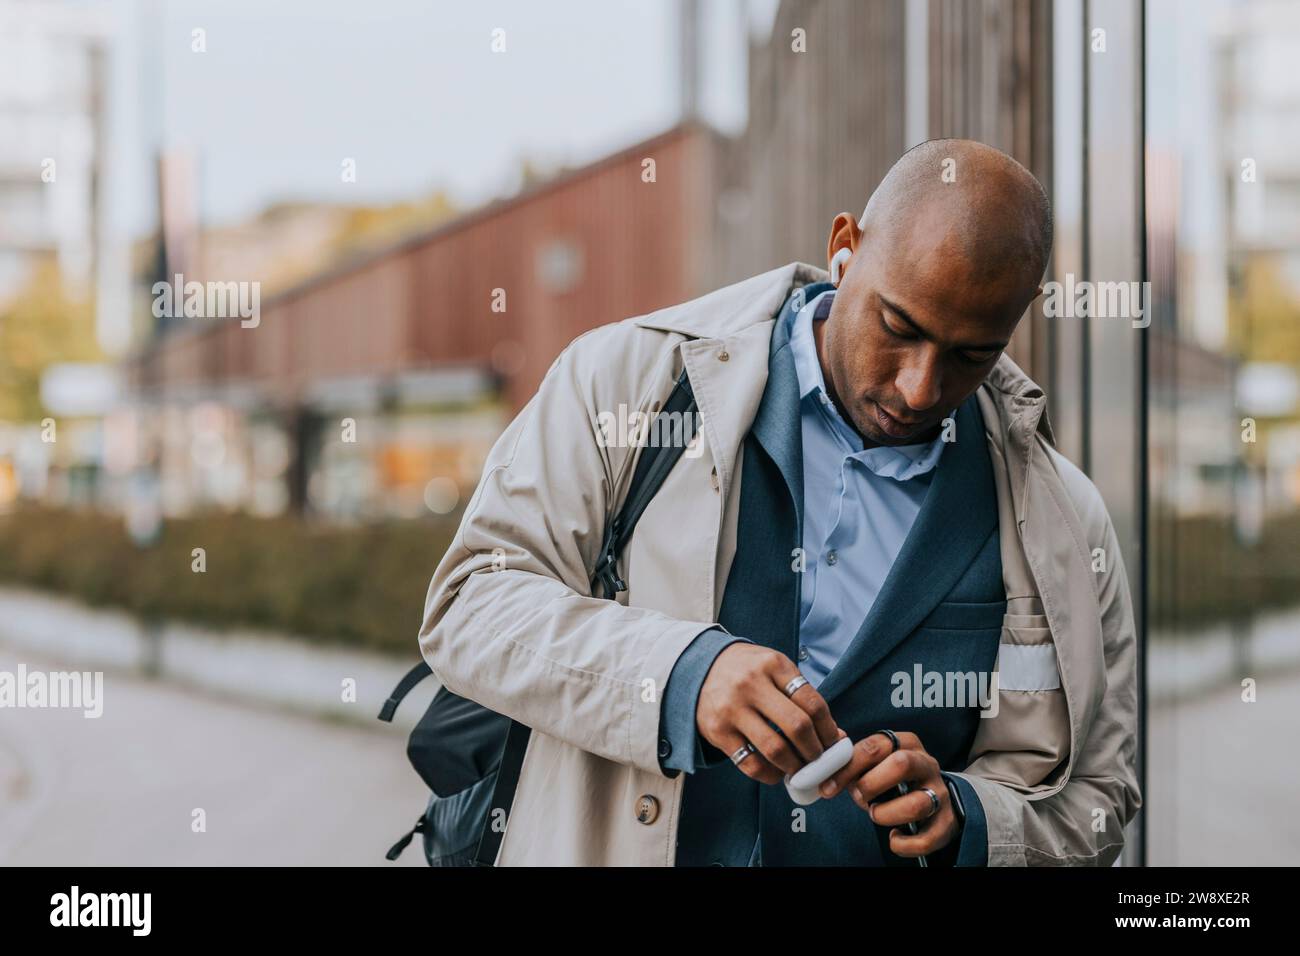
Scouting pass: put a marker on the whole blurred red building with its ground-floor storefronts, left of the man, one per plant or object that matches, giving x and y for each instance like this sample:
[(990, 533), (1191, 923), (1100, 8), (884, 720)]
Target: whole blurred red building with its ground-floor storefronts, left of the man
[(378, 387)]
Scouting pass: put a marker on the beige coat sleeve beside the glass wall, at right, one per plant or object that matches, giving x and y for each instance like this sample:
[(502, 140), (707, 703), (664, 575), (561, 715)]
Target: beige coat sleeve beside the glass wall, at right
[(1084, 823)]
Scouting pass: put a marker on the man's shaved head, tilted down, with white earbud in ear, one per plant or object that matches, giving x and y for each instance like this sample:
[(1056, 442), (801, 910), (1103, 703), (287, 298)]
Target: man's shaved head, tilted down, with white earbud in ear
[(935, 278)]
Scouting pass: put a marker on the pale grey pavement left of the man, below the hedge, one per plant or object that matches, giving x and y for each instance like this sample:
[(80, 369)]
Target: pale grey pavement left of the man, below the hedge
[(278, 789)]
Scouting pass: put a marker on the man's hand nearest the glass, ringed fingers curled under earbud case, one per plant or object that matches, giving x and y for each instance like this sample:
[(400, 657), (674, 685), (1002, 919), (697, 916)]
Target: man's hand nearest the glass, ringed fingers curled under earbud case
[(876, 772)]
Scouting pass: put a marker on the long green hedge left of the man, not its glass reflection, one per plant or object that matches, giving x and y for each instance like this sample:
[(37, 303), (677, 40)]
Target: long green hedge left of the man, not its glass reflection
[(357, 586)]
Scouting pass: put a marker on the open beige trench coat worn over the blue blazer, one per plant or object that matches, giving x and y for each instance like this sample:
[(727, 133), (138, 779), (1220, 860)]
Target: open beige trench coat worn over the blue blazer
[(510, 620)]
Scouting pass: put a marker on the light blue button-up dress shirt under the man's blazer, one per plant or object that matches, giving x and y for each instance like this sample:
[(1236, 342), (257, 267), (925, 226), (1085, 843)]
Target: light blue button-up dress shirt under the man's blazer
[(859, 507)]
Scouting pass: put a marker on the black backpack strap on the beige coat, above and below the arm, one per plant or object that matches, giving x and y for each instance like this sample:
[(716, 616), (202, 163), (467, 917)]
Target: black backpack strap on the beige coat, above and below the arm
[(652, 470)]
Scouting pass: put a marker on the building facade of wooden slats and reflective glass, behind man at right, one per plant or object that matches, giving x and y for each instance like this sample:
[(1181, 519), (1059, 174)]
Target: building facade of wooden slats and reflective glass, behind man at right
[(1165, 133)]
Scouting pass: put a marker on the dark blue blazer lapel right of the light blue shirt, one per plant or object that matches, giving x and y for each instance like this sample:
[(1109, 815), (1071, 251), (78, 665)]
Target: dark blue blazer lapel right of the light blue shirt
[(955, 521)]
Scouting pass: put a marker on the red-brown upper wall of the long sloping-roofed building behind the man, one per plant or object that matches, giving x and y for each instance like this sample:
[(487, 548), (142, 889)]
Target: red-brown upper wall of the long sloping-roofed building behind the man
[(590, 248)]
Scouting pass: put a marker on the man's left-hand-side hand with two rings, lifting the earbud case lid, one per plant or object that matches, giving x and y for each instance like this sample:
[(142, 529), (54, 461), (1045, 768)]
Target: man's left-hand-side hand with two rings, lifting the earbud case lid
[(744, 691)]
